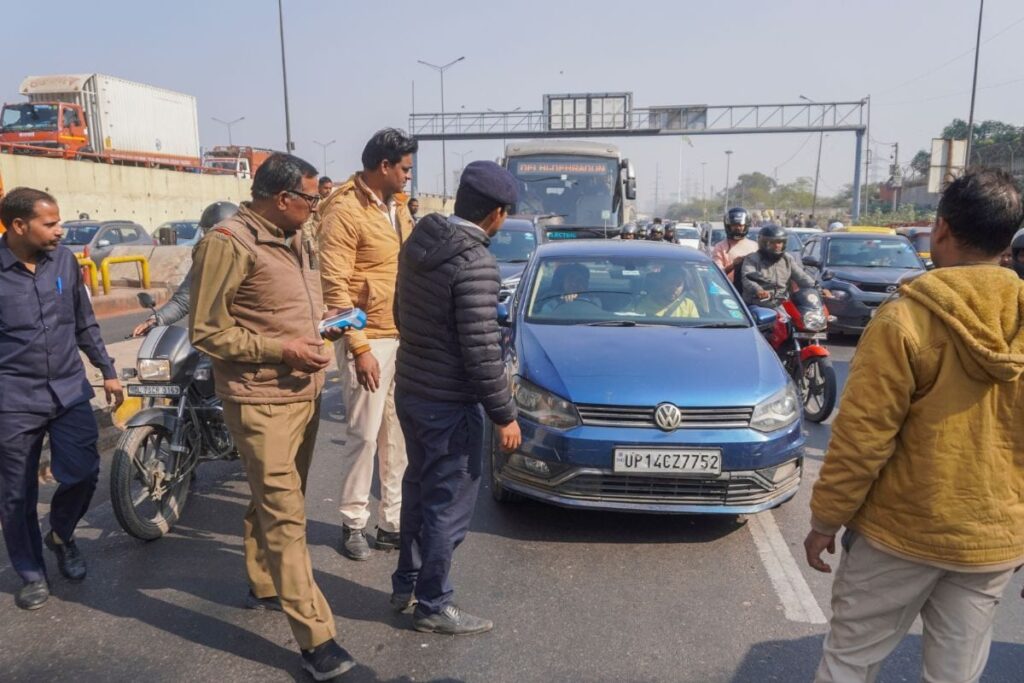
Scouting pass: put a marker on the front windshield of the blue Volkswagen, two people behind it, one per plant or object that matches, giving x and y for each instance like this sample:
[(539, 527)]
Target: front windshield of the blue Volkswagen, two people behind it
[(632, 291)]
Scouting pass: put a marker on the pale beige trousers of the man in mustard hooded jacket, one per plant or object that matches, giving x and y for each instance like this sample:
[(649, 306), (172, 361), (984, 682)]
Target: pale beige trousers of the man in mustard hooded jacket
[(877, 597)]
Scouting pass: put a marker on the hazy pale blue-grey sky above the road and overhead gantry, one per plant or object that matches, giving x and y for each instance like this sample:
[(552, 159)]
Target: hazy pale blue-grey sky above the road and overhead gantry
[(352, 67)]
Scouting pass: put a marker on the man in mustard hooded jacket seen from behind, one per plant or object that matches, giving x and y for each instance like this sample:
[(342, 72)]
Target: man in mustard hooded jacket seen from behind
[(926, 464)]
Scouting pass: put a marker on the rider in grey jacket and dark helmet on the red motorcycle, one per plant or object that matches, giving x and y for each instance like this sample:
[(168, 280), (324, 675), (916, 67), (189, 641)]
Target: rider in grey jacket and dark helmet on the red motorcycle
[(770, 273)]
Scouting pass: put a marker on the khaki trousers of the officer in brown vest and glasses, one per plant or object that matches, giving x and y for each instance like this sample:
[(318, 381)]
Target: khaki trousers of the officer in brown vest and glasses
[(276, 442)]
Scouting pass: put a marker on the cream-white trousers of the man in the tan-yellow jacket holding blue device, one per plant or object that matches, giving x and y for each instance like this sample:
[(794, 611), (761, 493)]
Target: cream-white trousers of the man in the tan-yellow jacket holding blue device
[(373, 429)]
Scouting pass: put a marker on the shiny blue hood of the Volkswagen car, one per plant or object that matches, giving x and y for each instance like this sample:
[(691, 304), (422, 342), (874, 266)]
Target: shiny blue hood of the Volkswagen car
[(645, 366)]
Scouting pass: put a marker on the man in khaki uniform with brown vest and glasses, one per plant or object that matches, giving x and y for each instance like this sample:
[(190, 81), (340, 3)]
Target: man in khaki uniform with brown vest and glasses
[(257, 305)]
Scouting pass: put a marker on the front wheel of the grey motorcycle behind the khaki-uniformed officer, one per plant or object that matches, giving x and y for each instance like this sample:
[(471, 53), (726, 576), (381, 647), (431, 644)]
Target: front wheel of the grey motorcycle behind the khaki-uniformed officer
[(149, 491)]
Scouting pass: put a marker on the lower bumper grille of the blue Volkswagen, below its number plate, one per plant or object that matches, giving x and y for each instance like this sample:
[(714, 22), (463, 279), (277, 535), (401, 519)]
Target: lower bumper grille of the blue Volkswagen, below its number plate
[(670, 490)]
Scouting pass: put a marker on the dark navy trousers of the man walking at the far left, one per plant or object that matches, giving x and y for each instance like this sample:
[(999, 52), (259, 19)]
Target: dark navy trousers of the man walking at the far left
[(75, 462)]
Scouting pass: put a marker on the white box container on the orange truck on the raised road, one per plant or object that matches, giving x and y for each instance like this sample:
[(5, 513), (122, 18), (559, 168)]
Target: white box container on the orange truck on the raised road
[(126, 121)]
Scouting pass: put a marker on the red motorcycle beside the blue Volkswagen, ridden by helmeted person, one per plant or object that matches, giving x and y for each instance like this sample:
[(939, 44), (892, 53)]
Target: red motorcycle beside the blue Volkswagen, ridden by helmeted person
[(800, 328)]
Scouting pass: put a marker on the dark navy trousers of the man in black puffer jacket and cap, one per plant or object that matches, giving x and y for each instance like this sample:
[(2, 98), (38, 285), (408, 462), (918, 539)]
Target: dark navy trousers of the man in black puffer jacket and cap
[(444, 442)]
